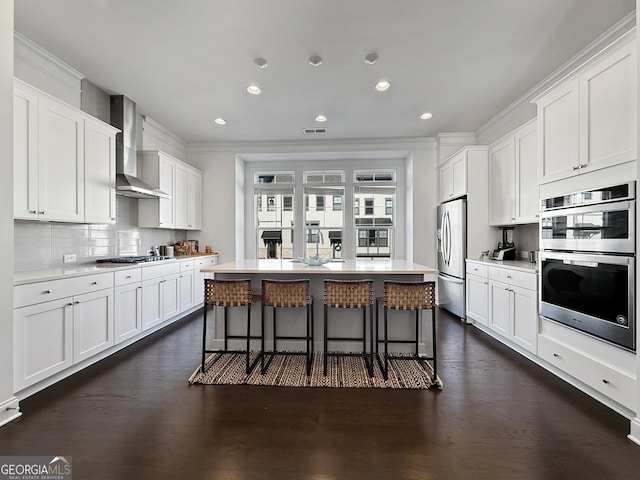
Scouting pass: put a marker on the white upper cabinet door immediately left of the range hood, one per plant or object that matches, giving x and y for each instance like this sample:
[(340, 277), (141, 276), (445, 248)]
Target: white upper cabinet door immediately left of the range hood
[(100, 173)]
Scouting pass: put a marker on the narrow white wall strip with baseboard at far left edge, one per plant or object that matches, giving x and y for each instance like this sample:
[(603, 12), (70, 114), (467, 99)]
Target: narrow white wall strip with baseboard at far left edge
[(8, 403)]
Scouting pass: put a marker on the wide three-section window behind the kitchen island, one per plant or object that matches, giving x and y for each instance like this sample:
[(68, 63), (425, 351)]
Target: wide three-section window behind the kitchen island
[(302, 212)]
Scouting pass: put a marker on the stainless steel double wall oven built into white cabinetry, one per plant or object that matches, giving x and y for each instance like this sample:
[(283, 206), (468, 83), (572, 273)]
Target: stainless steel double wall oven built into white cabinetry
[(587, 262)]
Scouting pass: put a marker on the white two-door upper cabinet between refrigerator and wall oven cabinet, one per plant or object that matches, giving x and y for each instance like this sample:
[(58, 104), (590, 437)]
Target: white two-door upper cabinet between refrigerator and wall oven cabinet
[(513, 192)]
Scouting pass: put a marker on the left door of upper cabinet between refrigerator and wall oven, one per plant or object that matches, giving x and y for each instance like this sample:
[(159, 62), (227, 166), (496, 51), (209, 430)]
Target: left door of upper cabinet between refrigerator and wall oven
[(502, 175)]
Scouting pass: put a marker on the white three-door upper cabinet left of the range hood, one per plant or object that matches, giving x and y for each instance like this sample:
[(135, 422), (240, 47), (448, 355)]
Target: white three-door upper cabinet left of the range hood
[(64, 161)]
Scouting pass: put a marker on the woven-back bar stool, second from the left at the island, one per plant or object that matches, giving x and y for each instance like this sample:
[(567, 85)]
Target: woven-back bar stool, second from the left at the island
[(287, 294)]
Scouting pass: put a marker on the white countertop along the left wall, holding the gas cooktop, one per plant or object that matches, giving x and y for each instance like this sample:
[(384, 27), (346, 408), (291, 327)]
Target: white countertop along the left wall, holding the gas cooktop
[(77, 270)]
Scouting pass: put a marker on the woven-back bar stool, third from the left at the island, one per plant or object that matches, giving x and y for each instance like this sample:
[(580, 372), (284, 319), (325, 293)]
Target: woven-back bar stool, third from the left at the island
[(349, 294)]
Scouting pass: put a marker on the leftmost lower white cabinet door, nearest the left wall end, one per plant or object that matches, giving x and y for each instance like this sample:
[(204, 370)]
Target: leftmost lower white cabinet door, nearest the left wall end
[(42, 341)]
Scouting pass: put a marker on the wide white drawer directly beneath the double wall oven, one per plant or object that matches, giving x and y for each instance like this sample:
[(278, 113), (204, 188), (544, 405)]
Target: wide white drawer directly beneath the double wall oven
[(609, 381)]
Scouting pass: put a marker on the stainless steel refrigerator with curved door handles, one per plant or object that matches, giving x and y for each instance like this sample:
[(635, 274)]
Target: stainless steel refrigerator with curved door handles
[(452, 251)]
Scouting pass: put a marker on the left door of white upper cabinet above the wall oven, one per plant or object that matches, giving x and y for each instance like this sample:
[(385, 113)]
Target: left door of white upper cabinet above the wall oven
[(558, 133)]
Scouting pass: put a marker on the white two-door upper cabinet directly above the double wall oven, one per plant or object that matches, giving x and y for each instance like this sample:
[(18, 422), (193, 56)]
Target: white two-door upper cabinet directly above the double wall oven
[(589, 121)]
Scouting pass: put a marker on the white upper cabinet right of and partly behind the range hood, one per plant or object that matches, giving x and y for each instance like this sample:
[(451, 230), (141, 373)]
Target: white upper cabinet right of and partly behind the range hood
[(184, 183)]
